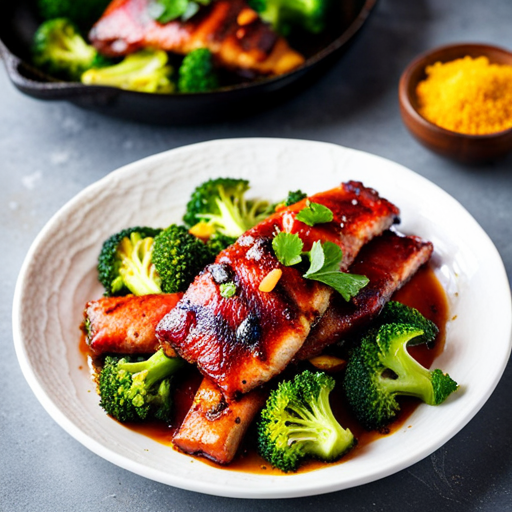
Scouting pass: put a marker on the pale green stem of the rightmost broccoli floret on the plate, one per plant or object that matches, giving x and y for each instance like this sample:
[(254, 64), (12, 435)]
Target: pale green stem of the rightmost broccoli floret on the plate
[(413, 378)]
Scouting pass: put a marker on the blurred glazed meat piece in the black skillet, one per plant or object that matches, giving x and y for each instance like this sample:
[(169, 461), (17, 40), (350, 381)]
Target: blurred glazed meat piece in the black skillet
[(230, 29)]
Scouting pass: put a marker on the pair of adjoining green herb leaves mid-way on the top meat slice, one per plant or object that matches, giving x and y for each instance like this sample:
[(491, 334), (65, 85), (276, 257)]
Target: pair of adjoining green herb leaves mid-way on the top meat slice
[(325, 260)]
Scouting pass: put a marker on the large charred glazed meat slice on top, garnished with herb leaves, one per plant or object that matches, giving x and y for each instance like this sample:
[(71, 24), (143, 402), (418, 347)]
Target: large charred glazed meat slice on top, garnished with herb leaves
[(243, 341)]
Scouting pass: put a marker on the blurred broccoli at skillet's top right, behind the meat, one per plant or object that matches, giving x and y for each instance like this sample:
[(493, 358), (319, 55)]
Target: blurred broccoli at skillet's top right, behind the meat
[(288, 15)]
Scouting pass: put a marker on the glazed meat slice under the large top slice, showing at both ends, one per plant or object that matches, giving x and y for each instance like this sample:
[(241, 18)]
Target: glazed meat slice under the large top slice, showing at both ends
[(214, 426)]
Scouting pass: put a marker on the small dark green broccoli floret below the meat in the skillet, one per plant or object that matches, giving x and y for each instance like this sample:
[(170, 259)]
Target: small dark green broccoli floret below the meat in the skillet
[(197, 72)]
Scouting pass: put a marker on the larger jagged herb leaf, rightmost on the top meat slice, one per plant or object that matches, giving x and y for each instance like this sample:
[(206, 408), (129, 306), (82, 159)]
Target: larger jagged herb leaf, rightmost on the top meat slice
[(325, 268)]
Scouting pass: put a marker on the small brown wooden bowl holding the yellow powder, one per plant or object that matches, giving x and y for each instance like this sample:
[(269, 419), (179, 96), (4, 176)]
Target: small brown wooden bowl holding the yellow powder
[(462, 147)]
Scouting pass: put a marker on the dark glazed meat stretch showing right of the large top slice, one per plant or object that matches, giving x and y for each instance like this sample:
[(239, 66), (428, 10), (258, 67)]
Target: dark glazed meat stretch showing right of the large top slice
[(388, 261)]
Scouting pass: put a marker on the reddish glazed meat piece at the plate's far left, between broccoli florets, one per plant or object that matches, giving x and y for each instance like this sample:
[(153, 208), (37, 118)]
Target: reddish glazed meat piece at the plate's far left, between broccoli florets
[(126, 325)]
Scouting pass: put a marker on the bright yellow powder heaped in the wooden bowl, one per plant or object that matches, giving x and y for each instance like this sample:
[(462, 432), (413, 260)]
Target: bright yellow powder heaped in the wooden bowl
[(467, 96)]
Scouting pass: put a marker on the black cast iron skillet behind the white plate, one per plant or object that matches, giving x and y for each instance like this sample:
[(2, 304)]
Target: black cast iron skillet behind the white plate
[(19, 21)]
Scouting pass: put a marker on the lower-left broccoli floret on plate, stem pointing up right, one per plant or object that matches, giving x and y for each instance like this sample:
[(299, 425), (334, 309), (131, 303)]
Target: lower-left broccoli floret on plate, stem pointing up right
[(138, 390)]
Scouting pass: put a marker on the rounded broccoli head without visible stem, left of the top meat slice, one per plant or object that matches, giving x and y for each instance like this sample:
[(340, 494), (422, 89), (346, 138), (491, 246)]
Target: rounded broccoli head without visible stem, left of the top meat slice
[(178, 257)]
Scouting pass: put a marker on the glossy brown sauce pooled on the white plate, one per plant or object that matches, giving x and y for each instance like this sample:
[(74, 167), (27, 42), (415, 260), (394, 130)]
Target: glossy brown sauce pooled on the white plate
[(423, 292)]
